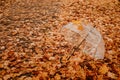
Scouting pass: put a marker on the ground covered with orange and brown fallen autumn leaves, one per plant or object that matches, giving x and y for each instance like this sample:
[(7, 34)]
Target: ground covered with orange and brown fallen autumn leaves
[(32, 48)]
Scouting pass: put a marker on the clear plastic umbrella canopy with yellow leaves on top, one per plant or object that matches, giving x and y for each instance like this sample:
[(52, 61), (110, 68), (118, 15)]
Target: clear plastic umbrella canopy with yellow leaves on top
[(86, 37)]
